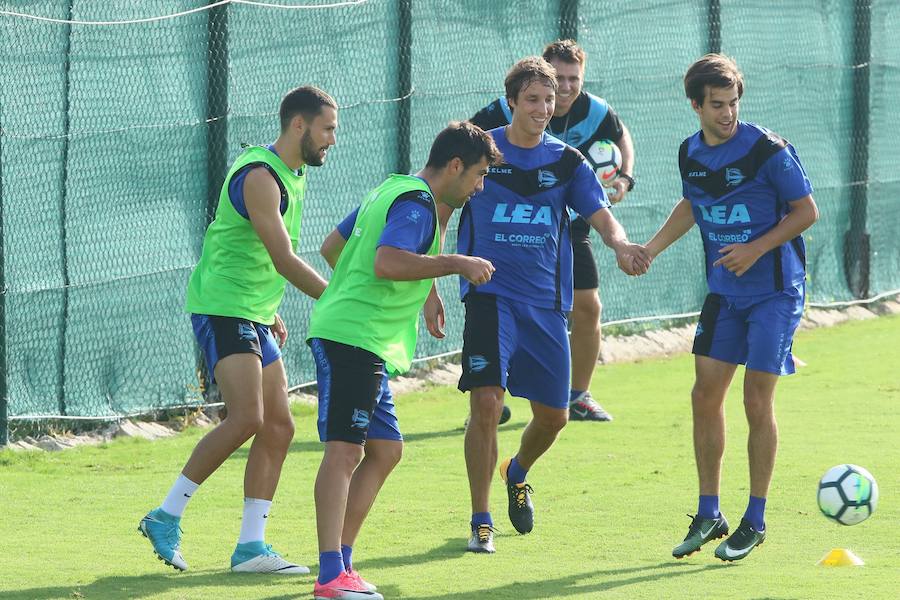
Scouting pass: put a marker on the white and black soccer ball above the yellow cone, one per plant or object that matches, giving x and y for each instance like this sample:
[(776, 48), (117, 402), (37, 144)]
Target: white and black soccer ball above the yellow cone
[(847, 494)]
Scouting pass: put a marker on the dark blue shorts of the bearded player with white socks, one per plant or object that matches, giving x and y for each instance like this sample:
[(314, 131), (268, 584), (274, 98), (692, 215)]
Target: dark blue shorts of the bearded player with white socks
[(219, 337)]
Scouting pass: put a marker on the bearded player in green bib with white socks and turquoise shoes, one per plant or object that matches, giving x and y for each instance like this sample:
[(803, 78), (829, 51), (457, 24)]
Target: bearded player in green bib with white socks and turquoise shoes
[(233, 295)]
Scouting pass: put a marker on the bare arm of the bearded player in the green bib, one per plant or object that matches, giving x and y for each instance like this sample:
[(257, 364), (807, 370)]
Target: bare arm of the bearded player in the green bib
[(263, 198)]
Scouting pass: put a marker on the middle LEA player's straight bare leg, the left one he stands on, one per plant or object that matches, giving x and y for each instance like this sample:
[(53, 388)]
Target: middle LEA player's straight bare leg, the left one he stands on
[(485, 403)]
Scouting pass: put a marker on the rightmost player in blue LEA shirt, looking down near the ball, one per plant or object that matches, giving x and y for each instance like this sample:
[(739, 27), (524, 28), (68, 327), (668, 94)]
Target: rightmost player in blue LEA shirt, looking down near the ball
[(745, 188)]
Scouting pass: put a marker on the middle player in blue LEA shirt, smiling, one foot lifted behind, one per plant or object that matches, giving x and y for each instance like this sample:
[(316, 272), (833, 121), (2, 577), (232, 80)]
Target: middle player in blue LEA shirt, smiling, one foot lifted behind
[(515, 331)]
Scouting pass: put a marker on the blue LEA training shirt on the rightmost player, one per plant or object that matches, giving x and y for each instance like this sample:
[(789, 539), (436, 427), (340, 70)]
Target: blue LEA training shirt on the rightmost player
[(739, 190)]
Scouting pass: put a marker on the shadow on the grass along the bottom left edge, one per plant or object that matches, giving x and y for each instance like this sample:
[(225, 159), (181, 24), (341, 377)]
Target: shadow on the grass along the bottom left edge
[(151, 586)]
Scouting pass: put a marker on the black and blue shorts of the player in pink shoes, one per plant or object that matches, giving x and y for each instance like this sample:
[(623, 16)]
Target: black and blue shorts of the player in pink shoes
[(355, 401)]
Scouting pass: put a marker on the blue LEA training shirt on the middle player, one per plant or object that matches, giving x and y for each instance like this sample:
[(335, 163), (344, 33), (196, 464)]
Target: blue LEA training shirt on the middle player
[(519, 221)]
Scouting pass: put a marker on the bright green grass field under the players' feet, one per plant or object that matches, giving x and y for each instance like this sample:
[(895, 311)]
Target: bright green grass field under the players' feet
[(610, 499)]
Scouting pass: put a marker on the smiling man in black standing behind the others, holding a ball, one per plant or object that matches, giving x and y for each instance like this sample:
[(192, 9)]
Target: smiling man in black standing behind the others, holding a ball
[(580, 120)]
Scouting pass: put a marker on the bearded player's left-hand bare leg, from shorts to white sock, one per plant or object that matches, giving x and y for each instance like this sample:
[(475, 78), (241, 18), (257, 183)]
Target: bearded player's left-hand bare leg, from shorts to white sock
[(239, 377)]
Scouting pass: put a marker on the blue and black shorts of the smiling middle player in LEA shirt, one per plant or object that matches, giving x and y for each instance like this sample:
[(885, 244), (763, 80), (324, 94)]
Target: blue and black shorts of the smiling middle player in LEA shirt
[(521, 348)]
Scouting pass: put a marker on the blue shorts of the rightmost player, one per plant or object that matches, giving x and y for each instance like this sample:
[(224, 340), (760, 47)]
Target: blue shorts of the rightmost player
[(754, 330)]
